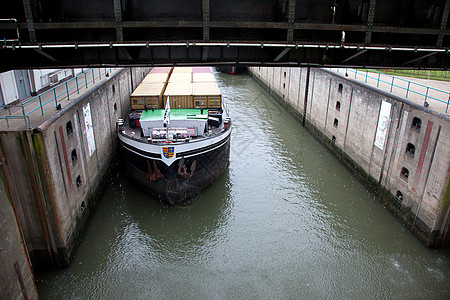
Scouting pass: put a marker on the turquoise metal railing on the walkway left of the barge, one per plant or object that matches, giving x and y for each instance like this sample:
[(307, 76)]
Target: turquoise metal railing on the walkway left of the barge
[(54, 95)]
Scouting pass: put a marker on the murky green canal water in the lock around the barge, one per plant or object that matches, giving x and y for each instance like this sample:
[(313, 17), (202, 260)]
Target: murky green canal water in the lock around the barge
[(285, 221)]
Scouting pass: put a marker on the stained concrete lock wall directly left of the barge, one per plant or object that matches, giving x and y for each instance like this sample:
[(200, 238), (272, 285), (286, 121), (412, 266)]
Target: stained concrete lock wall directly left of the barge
[(55, 172)]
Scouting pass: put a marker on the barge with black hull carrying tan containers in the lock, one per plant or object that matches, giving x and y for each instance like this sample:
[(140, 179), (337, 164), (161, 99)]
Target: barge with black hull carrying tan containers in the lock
[(176, 140)]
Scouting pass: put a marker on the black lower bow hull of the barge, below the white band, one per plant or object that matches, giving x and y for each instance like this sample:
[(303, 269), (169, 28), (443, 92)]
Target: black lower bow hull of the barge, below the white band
[(173, 188)]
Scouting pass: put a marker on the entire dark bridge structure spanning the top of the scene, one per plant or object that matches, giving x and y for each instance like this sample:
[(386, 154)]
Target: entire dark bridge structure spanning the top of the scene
[(364, 33)]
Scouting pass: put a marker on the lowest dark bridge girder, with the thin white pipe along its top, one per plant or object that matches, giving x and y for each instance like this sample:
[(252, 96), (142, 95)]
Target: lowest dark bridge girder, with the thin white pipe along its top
[(212, 53)]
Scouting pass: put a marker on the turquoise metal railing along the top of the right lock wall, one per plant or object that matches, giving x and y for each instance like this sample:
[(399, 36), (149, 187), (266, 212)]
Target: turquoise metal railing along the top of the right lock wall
[(409, 87)]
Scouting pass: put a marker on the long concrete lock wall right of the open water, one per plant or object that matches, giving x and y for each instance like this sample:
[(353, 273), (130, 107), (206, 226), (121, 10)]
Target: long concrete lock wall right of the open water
[(373, 132)]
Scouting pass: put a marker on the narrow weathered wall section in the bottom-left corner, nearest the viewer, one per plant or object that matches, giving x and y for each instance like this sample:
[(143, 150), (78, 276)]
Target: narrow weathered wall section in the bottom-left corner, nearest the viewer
[(16, 277)]
